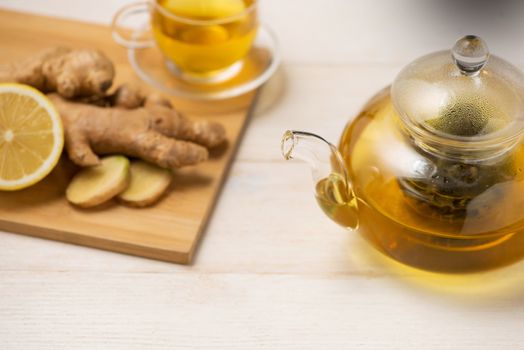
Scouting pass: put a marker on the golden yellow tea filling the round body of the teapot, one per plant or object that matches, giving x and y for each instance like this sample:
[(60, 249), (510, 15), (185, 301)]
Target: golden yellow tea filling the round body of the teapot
[(445, 216)]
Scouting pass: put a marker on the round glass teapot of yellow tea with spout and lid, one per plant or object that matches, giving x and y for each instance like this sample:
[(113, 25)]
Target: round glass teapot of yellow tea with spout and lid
[(431, 170)]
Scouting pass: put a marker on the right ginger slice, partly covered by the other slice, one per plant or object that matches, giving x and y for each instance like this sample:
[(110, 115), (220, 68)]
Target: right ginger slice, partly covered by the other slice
[(147, 185)]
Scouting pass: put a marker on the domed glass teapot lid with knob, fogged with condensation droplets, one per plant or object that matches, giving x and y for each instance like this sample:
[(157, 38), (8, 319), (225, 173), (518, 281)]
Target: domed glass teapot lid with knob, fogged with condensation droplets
[(464, 94)]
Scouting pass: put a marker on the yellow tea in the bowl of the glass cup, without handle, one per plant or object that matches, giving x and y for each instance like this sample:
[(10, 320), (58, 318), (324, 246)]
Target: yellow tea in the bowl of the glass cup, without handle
[(204, 36)]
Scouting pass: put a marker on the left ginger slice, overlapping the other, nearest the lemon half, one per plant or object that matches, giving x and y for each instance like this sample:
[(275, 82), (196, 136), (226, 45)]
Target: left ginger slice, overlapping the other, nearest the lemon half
[(98, 184)]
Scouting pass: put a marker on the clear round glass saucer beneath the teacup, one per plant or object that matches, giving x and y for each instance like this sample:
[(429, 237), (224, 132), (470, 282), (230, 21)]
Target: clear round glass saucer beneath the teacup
[(256, 68)]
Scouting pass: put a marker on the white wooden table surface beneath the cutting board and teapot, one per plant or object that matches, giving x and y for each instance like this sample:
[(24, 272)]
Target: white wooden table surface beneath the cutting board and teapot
[(272, 271)]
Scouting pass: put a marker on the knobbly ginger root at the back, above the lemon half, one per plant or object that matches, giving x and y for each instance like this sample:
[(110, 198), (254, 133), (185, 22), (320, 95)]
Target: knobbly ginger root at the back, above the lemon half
[(70, 72)]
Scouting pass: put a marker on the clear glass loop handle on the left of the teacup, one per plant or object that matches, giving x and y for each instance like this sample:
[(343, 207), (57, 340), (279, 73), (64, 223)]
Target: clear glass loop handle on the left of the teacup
[(118, 31)]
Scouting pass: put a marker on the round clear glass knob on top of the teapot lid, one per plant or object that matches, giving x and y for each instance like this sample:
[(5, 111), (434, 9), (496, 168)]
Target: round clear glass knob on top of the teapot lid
[(470, 53)]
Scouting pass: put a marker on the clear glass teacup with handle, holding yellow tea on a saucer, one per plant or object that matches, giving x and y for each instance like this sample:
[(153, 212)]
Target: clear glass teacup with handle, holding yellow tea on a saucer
[(203, 40)]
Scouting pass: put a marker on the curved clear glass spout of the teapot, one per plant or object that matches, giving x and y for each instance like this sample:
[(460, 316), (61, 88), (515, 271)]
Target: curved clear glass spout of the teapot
[(333, 189)]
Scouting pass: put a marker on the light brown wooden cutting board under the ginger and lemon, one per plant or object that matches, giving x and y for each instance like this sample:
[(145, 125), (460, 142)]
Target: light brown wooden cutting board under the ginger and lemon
[(168, 231)]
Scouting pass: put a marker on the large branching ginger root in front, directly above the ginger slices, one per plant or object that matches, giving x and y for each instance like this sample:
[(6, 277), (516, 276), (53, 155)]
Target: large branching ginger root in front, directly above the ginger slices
[(156, 133)]
